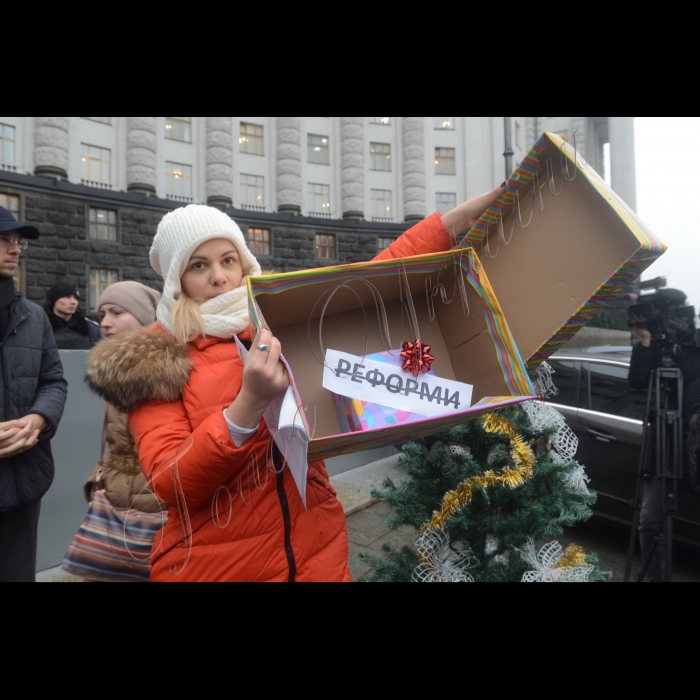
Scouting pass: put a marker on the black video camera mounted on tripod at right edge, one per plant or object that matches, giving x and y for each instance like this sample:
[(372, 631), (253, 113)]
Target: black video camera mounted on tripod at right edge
[(664, 313)]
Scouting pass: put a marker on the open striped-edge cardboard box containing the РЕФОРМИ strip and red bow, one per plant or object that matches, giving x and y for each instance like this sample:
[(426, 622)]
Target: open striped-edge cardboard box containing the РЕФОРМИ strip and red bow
[(477, 349)]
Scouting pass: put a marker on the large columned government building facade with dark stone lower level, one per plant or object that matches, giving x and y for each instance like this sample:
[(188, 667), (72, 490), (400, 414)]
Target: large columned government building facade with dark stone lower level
[(307, 191)]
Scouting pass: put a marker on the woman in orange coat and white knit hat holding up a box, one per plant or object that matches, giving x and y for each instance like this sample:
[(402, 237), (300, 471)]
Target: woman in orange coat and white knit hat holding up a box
[(196, 412)]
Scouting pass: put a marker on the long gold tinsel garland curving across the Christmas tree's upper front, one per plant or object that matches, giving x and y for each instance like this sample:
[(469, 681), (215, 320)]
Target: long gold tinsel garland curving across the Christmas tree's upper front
[(512, 478)]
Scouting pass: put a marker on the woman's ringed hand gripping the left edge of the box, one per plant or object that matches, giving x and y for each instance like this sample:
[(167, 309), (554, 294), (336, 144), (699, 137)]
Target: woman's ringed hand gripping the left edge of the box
[(264, 379)]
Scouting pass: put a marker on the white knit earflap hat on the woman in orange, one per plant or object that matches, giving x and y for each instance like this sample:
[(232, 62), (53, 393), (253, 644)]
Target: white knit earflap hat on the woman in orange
[(182, 231)]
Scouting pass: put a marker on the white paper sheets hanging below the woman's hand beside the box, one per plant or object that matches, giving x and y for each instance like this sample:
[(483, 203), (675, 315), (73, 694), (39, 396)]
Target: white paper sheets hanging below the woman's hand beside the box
[(284, 422)]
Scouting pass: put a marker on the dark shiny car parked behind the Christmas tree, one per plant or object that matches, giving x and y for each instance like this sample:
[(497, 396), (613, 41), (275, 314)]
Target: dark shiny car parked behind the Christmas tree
[(608, 418)]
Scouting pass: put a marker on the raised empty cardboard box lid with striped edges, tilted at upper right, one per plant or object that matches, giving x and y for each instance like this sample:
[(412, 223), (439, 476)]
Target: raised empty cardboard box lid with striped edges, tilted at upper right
[(578, 254)]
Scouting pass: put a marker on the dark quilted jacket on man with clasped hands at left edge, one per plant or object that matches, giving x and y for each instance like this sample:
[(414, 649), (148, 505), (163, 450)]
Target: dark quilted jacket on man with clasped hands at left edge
[(32, 382)]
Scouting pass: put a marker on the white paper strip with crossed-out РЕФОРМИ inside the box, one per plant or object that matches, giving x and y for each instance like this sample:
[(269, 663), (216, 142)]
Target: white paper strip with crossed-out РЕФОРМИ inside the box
[(386, 385)]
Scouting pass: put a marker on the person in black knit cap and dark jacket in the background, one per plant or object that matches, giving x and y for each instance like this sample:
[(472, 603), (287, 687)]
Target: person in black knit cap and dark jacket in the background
[(72, 330)]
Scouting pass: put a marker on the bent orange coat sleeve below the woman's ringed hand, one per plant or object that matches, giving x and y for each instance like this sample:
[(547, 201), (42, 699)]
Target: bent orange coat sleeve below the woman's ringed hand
[(162, 430)]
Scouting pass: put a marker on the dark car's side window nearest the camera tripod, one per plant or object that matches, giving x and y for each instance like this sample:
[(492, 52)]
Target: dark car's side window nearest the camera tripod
[(609, 392)]
